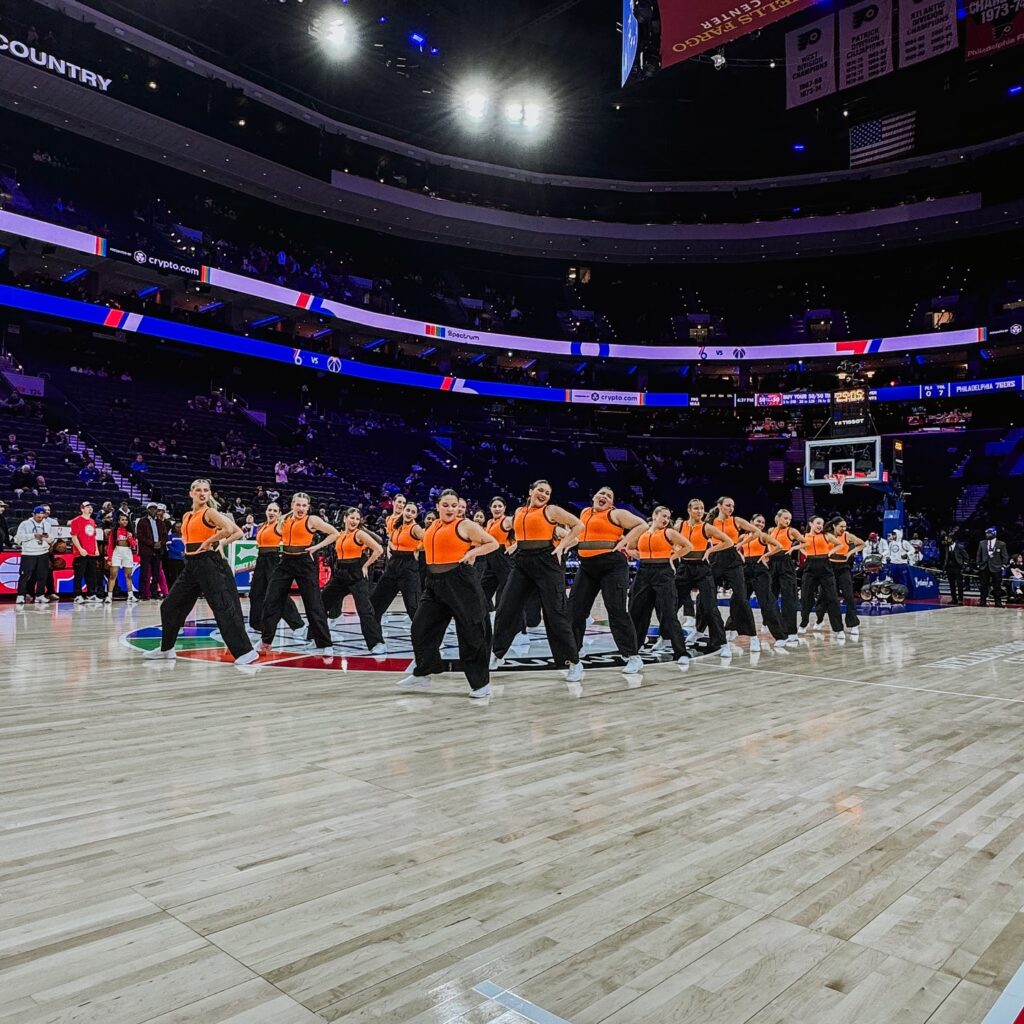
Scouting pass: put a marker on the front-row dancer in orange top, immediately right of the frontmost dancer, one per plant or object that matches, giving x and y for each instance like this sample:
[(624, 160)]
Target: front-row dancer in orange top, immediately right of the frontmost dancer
[(538, 570)]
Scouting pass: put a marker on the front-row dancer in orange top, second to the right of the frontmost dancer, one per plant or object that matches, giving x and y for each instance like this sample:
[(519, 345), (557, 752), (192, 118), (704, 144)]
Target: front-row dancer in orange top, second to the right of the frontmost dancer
[(604, 570)]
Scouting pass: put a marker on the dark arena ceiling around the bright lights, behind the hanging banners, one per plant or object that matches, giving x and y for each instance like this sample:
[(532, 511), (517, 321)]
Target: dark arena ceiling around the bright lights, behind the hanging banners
[(688, 121)]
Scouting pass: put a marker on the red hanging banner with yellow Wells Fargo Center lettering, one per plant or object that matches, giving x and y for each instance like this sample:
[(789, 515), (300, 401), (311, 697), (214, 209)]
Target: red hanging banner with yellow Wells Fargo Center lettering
[(692, 27)]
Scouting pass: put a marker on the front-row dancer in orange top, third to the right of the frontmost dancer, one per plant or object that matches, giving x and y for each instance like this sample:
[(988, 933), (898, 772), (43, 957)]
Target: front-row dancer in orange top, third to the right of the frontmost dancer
[(658, 546)]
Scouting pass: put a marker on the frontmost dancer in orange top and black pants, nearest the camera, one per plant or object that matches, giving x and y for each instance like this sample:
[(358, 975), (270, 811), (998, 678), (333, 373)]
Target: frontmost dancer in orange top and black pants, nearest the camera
[(451, 546)]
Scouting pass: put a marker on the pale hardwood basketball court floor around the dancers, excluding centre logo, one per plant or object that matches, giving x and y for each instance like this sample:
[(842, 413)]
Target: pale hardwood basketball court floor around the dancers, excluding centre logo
[(832, 835)]
